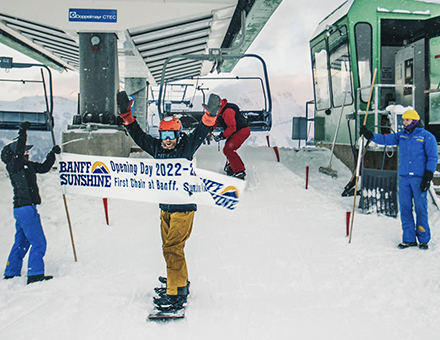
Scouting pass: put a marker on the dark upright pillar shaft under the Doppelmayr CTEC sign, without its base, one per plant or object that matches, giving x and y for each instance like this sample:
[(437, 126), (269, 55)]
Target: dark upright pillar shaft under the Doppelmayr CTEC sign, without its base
[(99, 77)]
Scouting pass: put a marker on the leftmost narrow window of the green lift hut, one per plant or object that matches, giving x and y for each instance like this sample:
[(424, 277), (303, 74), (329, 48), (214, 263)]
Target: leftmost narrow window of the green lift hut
[(321, 76)]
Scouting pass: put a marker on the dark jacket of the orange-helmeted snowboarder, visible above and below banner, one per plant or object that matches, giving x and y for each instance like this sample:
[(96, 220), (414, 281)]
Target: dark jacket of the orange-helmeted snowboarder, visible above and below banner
[(186, 147)]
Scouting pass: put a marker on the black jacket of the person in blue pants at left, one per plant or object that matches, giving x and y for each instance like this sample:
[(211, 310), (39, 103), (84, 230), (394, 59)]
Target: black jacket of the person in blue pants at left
[(22, 173)]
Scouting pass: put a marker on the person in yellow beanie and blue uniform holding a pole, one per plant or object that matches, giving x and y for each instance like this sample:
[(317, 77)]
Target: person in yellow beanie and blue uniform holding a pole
[(418, 157)]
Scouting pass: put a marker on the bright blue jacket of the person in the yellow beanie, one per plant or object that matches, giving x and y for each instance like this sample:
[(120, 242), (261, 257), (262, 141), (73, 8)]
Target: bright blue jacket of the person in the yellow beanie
[(417, 150)]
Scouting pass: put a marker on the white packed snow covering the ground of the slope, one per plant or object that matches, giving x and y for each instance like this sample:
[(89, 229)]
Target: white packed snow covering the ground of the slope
[(278, 267)]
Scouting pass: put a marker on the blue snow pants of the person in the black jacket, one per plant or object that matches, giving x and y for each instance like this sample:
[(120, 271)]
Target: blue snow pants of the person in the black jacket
[(29, 233)]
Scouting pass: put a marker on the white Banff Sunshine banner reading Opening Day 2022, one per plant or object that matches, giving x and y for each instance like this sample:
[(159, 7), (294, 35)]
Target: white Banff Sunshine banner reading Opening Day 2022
[(168, 181)]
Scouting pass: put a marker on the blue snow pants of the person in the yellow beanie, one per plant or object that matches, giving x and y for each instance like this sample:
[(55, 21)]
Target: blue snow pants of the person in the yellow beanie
[(409, 192)]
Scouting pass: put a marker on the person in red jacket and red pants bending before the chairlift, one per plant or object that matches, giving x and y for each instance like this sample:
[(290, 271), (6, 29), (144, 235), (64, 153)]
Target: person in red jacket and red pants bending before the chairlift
[(235, 130)]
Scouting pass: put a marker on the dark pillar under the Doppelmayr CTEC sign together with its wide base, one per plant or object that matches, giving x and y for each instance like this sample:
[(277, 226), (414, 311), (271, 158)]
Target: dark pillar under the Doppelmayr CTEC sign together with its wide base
[(94, 130)]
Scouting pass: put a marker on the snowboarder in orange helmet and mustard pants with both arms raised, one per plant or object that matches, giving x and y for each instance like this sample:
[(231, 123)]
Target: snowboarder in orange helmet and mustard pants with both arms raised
[(176, 219)]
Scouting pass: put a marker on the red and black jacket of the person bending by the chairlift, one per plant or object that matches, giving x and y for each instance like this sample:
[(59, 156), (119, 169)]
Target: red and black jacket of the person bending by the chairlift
[(230, 119)]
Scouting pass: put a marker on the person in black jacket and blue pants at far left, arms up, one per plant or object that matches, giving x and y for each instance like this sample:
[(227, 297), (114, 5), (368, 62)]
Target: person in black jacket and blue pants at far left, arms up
[(29, 232)]
